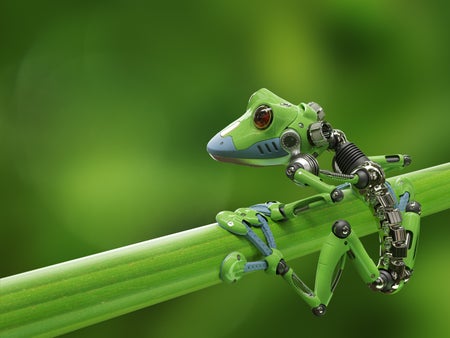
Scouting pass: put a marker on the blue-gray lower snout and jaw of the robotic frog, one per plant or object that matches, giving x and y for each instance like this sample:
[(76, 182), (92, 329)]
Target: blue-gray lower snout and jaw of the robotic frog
[(263, 153)]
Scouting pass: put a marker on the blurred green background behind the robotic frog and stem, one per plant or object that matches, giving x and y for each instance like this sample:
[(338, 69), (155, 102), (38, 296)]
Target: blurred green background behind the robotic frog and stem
[(106, 108)]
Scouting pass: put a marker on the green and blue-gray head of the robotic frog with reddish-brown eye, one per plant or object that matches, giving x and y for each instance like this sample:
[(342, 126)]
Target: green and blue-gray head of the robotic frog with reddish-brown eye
[(271, 132)]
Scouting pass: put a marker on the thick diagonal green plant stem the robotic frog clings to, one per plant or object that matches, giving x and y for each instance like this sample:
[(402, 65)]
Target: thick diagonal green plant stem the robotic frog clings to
[(64, 297)]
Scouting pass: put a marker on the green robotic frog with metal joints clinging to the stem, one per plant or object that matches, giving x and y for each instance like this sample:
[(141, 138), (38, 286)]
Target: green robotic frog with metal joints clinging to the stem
[(275, 132)]
